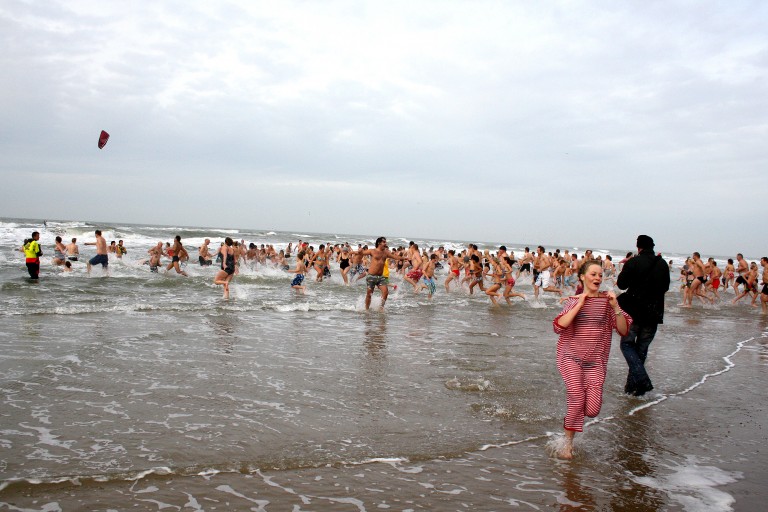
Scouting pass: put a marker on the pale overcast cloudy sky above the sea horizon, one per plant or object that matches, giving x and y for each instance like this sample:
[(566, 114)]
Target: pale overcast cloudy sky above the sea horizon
[(564, 123)]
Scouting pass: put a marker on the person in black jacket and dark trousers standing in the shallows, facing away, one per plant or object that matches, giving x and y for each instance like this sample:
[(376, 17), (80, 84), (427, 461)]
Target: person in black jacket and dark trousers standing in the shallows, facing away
[(645, 278)]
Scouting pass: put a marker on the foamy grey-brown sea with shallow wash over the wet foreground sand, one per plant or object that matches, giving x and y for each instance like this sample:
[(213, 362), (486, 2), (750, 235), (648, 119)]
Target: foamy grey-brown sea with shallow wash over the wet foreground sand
[(133, 390)]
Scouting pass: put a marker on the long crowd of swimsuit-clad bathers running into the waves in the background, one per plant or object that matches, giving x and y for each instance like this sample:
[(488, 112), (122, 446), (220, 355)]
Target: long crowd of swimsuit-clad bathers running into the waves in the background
[(493, 274)]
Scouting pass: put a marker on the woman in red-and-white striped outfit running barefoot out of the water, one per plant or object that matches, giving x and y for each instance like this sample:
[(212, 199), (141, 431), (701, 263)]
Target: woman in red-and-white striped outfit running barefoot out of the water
[(585, 326)]
